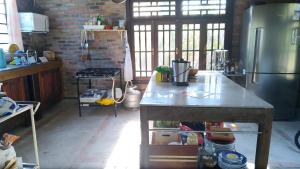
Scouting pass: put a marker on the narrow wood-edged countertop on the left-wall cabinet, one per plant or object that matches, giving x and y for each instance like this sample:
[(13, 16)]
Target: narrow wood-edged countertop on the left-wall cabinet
[(15, 71)]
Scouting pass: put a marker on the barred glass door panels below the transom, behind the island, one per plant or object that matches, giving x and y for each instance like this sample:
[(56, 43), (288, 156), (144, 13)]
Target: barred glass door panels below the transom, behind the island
[(158, 44)]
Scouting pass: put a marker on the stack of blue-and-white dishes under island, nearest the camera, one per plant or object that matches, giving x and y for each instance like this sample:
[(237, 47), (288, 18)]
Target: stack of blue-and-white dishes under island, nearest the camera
[(232, 160)]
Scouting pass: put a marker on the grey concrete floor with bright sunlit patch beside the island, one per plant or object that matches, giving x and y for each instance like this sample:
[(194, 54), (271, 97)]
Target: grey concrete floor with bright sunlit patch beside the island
[(99, 140)]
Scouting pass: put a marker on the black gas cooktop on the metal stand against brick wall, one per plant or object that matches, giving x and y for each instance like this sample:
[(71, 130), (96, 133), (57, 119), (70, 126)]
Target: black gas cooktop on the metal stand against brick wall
[(98, 72)]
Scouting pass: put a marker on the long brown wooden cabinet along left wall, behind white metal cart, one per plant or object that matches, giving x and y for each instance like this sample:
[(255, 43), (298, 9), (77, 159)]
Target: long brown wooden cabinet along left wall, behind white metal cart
[(40, 82)]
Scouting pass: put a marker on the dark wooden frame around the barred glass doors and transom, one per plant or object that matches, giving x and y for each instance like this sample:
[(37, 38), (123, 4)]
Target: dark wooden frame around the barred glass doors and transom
[(179, 19)]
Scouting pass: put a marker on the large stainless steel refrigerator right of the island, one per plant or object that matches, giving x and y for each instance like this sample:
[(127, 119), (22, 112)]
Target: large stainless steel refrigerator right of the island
[(270, 51)]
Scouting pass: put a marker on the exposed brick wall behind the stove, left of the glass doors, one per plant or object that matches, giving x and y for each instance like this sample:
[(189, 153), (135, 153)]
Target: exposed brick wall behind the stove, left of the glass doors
[(66, 20)]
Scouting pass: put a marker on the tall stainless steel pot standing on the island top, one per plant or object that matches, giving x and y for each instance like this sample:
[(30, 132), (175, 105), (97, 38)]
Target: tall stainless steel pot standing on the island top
[(181, 70)]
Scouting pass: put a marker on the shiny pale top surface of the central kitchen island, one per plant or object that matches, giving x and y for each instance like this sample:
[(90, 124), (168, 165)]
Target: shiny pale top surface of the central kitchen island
[(208, 89)]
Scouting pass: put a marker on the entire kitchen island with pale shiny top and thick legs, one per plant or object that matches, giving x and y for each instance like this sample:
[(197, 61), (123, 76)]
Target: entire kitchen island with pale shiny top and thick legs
[(209, 97)]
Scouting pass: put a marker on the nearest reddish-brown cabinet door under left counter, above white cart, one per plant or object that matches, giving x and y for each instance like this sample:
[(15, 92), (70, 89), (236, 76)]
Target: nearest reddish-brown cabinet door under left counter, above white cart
[(15, 89)]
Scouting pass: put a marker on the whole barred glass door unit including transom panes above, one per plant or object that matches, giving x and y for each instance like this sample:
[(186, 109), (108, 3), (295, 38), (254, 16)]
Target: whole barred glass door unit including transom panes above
[(163, 35)]
